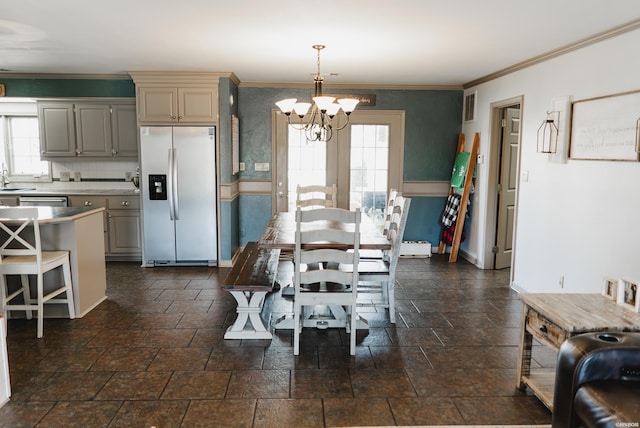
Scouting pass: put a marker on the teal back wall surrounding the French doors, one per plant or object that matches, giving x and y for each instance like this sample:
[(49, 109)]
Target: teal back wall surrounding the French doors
[(432, 126)]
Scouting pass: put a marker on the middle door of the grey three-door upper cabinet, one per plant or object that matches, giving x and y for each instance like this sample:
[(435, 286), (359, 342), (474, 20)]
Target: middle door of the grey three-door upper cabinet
[(93, 130)]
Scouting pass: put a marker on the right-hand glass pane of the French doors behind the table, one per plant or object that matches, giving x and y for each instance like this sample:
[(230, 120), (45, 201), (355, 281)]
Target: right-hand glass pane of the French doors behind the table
[(369, 169)]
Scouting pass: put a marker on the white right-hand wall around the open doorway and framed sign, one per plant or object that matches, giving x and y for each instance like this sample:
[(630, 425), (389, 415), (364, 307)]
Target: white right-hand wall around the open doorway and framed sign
[(577, 219)]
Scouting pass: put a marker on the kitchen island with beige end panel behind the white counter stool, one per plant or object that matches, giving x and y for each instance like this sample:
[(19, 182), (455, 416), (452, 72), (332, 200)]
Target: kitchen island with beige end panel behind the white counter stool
[(81, 232)]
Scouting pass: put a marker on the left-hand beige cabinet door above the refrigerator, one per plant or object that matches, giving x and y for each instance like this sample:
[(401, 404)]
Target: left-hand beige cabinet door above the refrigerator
[(157, 105)]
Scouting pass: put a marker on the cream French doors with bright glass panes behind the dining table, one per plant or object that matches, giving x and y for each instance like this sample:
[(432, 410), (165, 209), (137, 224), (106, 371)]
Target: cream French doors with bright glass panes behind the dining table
[(364, 160)]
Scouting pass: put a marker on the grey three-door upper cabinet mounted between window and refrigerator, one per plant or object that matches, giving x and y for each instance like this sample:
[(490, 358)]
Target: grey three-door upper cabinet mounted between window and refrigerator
[(87, 129)]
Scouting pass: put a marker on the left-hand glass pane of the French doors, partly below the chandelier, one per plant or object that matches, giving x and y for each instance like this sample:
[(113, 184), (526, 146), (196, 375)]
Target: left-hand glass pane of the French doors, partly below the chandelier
[(307, 163)]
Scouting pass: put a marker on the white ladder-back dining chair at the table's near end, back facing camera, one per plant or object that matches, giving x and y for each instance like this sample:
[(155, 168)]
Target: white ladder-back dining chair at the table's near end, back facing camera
[(327, 284)]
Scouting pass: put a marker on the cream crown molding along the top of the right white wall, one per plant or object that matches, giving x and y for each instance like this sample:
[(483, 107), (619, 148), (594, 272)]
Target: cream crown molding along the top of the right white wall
[(582, 43)]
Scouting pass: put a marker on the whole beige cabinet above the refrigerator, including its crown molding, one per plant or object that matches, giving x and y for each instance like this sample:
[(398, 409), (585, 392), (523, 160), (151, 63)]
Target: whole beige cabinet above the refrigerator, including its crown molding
[(174, 98)]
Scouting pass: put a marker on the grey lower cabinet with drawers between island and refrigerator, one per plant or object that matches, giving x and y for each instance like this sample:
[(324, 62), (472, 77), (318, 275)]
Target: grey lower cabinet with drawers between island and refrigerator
[(122, 228)]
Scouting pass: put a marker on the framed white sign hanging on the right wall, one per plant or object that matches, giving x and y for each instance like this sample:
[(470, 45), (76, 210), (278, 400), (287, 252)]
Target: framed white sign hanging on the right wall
[(606, 128)]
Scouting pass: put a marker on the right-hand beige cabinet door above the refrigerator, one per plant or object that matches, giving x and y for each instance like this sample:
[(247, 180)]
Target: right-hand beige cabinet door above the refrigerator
[(198, 105)]
